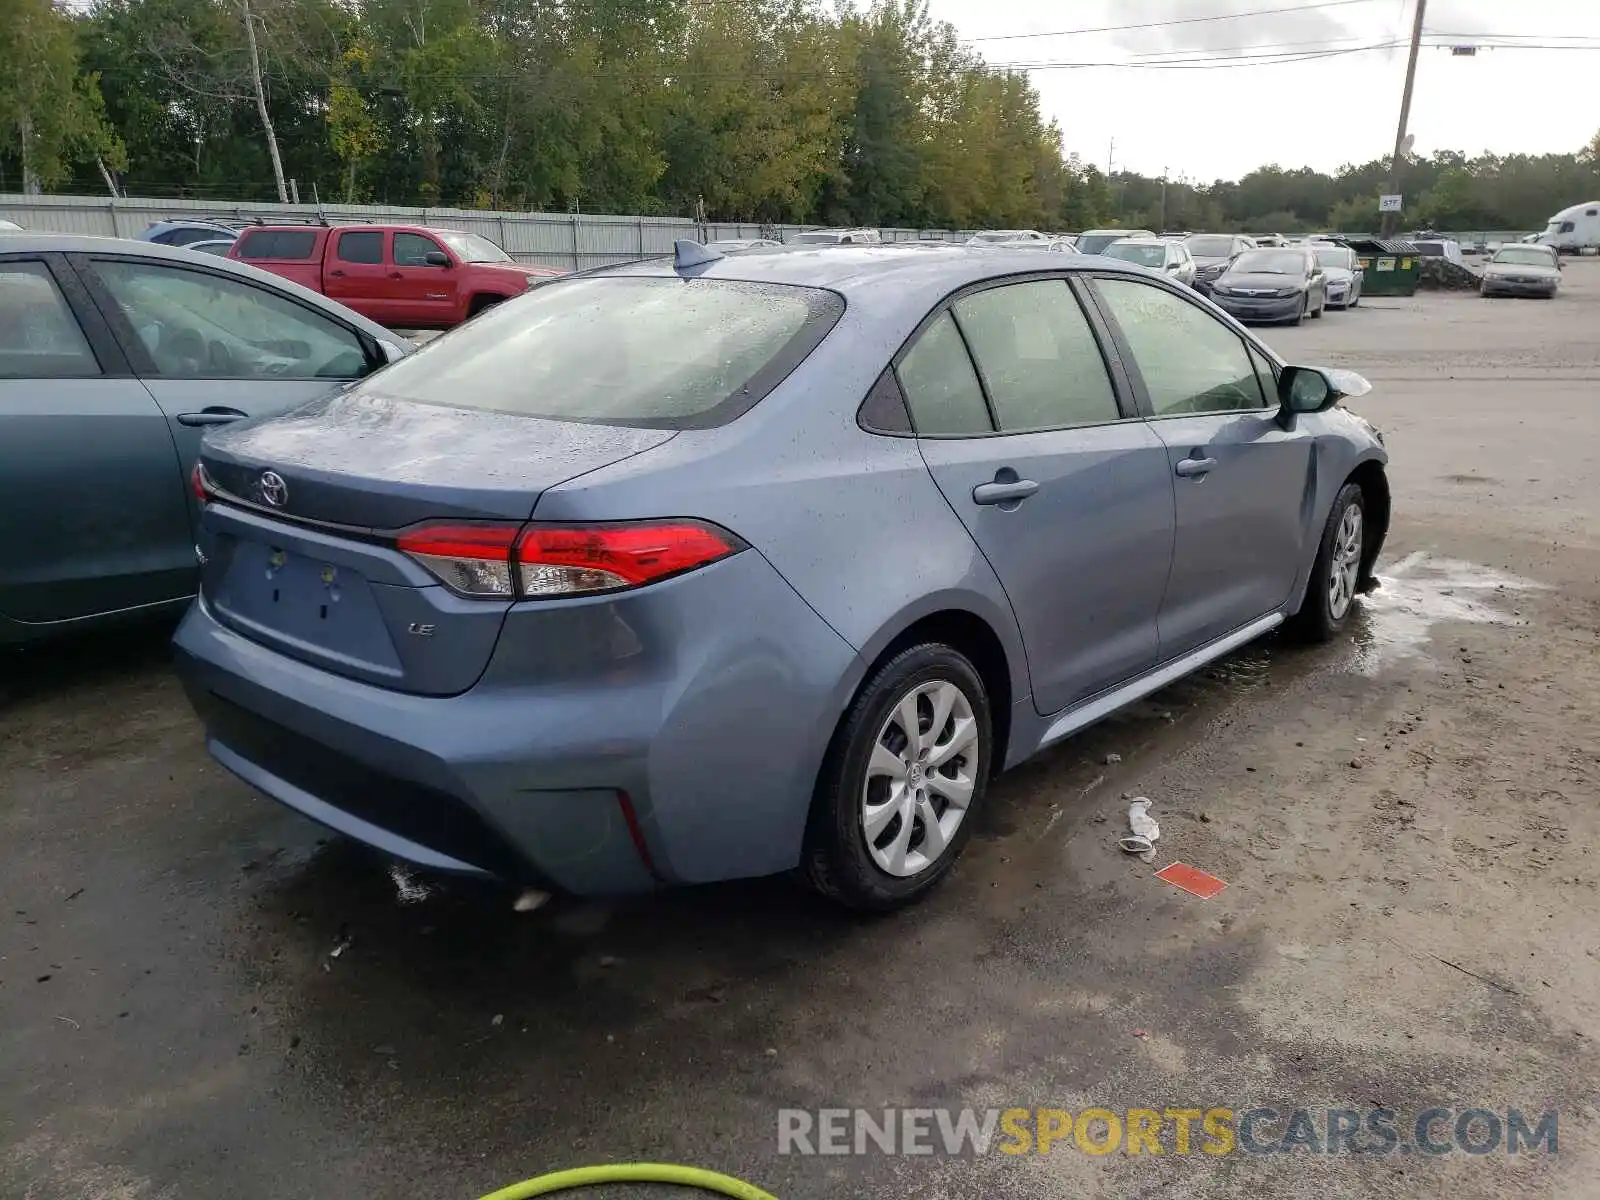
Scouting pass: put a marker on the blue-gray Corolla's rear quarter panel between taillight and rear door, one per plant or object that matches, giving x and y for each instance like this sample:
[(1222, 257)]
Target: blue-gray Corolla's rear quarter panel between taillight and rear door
[(854, 521)]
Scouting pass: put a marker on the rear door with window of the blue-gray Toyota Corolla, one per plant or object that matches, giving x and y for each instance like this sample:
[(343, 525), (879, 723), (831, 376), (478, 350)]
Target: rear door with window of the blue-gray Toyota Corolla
[(1062, 486)]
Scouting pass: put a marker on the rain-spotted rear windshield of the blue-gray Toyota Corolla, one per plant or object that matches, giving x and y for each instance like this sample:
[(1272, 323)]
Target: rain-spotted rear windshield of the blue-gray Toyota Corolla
[(652, 353)]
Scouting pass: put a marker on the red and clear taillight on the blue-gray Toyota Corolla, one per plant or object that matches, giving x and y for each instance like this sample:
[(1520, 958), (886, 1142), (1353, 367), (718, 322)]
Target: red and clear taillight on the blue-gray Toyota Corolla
[(545, 561)]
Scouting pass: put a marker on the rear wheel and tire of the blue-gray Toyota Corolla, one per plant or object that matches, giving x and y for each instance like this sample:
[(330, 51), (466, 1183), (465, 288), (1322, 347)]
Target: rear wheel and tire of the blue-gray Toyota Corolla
[(903, 780)]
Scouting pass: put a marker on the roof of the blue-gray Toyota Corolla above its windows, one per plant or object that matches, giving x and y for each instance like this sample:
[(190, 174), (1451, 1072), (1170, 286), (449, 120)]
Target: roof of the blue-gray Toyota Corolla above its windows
[(887, 279)]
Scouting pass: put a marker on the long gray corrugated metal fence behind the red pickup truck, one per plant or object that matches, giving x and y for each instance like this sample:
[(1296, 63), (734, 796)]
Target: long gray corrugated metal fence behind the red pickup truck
[(546, 239)]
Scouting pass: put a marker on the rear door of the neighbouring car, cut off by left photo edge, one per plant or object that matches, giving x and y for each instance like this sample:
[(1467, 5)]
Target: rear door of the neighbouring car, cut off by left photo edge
[(92, 502)]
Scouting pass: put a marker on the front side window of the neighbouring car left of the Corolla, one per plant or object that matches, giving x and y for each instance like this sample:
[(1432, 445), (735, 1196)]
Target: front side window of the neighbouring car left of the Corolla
[(196, 326)]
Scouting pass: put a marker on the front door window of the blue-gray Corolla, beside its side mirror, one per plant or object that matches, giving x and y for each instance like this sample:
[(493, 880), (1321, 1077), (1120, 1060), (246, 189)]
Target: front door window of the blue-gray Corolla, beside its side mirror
[(1190, 361)]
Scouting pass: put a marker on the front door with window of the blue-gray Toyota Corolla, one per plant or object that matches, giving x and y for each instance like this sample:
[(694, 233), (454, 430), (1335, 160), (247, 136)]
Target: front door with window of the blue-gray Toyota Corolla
[(1242, 481)]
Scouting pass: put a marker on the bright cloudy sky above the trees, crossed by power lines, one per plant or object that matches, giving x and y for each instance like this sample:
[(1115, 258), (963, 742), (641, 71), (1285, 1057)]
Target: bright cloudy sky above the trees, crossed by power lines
[(1204, 122)]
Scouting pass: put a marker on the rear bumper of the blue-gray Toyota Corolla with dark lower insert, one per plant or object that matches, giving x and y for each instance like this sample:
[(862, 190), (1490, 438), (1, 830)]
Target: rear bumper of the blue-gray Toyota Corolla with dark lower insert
[(711, 710)]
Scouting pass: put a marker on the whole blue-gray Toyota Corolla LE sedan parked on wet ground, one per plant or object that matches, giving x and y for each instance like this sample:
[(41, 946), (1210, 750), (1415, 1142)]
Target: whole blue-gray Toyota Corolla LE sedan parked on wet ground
[(722, 567)]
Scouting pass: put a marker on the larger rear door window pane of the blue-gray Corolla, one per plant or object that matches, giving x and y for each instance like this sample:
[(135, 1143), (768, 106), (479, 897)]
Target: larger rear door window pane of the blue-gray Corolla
[(1038, 356)]
